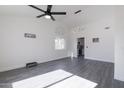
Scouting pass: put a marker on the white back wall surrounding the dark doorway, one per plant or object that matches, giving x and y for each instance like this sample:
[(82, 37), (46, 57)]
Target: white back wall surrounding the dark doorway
[(104, 50)]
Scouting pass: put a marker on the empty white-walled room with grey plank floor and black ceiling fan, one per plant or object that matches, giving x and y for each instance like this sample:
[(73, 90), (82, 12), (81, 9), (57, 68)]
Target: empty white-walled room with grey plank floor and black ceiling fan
[(61, 46)]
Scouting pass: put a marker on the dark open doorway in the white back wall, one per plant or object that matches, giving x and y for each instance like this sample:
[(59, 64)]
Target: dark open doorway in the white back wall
[(80, 47)]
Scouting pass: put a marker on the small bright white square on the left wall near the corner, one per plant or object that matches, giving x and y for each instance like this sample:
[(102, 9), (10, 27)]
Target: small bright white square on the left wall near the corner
[(59, 43)]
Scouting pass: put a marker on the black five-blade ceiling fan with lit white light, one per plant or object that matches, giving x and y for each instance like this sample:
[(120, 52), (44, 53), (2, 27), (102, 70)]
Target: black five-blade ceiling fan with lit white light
[(48, 14)]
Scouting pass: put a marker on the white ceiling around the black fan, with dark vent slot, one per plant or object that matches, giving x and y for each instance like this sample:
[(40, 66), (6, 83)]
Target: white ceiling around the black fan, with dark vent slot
[(89, 12)]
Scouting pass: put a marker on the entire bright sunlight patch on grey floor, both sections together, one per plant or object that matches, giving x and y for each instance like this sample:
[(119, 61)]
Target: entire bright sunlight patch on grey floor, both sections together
[(57, 79)]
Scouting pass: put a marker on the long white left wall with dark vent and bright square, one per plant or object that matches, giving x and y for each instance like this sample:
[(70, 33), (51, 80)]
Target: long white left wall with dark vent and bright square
[(16, 50)]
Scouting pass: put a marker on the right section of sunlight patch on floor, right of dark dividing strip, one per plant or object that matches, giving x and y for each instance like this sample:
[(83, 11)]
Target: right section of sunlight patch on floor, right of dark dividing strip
[(75, 82)]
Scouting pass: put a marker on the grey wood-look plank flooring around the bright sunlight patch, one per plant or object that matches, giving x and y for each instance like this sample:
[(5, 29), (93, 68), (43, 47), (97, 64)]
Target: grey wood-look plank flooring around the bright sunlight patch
[(96, 71)]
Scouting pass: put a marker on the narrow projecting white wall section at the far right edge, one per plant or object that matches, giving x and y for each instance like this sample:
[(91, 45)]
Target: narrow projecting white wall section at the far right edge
[(119, 43)]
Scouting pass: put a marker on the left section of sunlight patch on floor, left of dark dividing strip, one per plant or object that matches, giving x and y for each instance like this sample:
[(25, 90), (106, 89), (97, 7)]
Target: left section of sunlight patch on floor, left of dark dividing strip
[(43, 80)]
